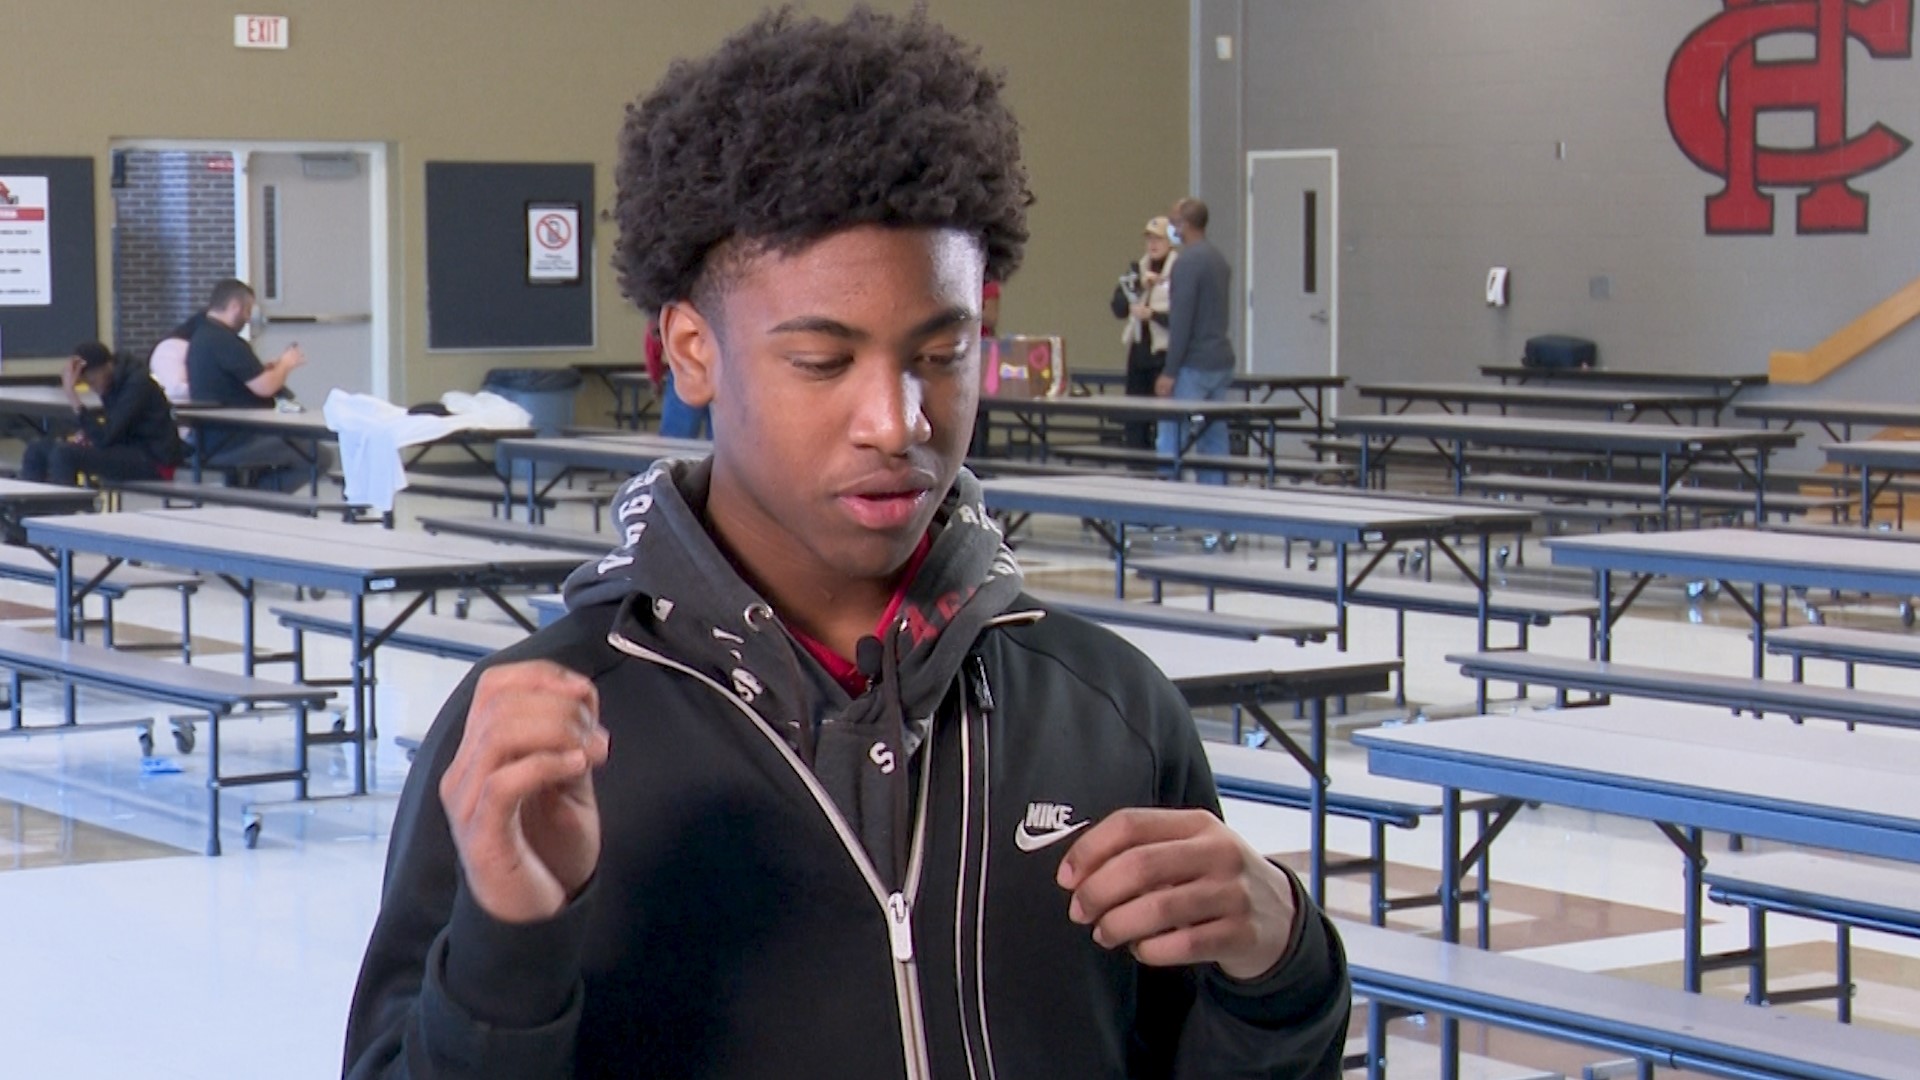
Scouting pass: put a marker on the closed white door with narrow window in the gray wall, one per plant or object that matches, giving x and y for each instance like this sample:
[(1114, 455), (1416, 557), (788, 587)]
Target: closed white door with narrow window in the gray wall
[(1291, 262)]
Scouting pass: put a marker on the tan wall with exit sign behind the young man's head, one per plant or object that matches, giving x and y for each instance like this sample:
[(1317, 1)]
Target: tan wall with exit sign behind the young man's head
[(1101, 87)]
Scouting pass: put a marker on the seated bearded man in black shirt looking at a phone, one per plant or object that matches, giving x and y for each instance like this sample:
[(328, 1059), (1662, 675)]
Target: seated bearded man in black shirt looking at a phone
[(222, 370)]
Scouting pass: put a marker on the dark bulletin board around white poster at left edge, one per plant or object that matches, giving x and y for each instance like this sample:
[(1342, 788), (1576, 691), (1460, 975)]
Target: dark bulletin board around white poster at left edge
[(74, 316)]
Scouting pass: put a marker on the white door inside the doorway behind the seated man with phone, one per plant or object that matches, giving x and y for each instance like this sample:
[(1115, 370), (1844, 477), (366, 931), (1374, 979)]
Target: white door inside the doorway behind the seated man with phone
[(310, 255)]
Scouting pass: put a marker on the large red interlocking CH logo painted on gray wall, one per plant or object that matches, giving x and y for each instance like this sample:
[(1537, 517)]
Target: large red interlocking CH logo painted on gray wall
[(1725, 141)]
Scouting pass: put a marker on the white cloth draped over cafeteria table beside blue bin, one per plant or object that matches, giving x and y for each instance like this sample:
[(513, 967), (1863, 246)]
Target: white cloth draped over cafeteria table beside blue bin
[(375, 431)]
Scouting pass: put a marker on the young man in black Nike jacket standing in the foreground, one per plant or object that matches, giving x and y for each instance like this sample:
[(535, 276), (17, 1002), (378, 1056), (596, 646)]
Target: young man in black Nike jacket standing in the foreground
[(804, 783)]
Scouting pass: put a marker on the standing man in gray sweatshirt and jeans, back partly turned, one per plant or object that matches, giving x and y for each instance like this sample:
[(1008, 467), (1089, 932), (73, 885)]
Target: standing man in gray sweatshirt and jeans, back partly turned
[(1199, 353)]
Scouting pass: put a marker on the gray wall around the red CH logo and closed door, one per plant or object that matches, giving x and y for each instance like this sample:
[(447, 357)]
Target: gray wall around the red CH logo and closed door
[(1447, 116)]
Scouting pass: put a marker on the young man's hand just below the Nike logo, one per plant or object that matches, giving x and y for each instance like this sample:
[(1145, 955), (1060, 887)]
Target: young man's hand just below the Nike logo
[(1178, 887)]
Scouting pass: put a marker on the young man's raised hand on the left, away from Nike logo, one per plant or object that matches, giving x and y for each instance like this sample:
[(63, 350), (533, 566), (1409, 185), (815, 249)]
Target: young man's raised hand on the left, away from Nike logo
[(519, 793)]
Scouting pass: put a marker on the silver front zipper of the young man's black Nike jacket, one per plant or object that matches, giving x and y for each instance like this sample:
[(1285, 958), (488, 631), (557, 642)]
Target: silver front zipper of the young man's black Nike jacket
[(896, 908)]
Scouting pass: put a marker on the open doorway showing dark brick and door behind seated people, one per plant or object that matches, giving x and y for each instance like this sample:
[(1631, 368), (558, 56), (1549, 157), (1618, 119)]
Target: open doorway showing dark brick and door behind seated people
[(302, 224)]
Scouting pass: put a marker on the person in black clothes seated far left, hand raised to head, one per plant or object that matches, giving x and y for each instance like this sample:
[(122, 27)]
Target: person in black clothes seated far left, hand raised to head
[(128, 437)]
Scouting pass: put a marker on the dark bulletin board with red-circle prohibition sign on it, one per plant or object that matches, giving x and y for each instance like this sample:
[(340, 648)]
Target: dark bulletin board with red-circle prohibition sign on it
[(479, 295)]
